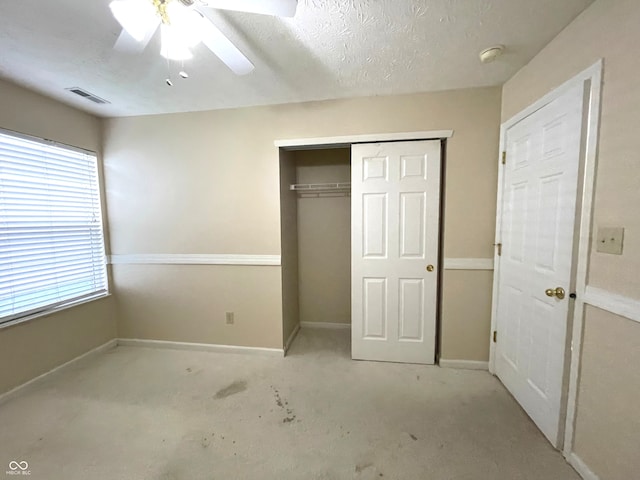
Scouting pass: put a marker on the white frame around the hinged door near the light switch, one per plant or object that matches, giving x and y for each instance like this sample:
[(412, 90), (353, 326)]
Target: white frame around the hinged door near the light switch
[(591, 78)]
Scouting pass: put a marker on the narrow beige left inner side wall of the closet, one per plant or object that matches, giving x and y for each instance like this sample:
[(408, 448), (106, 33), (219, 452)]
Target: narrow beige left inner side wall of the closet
[(289, 245)]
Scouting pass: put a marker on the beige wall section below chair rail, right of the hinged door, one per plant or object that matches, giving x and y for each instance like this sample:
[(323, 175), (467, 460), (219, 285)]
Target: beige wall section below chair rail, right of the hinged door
[(608, 421)]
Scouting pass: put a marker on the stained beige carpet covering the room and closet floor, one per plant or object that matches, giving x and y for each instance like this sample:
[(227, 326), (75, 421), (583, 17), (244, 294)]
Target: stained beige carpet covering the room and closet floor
[(138, 413)]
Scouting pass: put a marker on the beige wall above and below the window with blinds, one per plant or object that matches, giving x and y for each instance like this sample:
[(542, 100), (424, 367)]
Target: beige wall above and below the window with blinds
[(32, 348)]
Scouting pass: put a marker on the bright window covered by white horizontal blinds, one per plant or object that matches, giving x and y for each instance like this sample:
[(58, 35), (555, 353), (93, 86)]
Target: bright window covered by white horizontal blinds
[(51, 239)]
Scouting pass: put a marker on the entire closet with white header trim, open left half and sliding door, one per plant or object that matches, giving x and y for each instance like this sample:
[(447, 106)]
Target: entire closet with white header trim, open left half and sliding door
[(361, 245)]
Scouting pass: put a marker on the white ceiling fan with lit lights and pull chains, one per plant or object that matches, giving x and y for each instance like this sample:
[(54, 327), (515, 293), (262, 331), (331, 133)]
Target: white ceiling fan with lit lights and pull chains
[(184, 24)]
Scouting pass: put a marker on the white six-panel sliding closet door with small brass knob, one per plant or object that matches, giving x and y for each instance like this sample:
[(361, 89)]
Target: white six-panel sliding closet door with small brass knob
[(395, 190)]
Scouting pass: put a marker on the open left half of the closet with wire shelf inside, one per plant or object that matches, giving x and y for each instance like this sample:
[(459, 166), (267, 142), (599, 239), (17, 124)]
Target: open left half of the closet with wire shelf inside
[(315, 204)]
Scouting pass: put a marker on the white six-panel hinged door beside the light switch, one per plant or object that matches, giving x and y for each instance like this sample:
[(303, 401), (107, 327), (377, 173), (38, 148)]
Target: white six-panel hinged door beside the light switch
[(538, 220)]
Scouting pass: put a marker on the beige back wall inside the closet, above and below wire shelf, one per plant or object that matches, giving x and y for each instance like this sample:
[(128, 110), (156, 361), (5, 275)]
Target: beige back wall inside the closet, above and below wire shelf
[(324, 238)]
